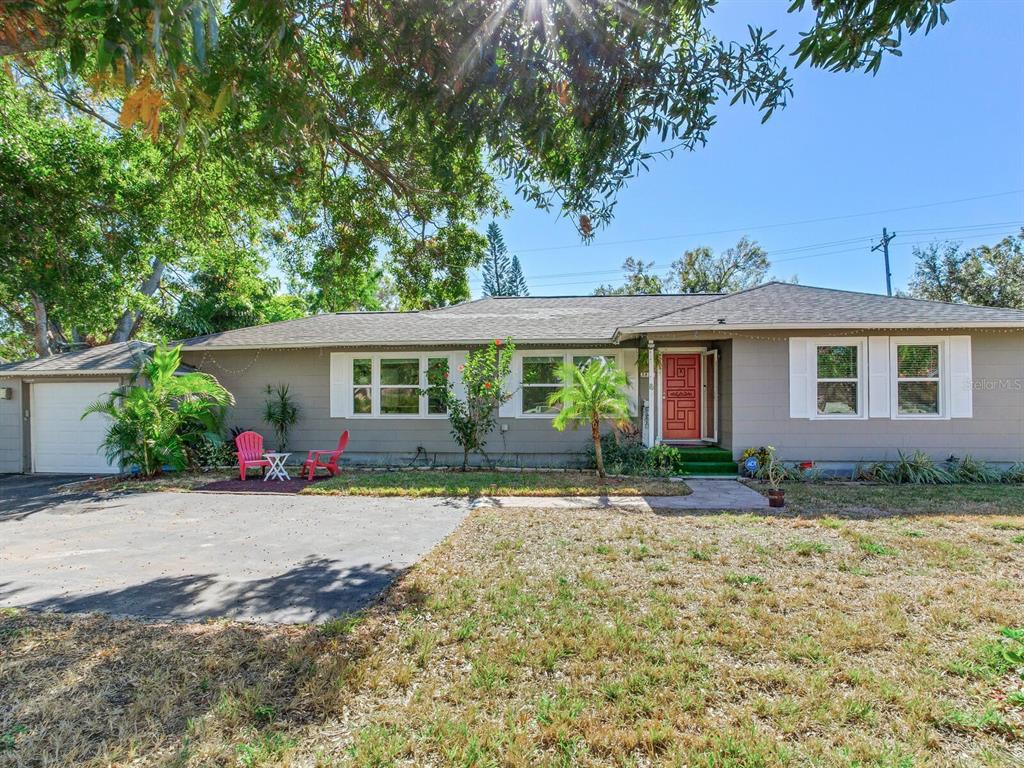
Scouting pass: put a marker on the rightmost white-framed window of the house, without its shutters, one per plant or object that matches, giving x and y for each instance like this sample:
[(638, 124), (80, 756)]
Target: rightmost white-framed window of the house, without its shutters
[(920, 378)]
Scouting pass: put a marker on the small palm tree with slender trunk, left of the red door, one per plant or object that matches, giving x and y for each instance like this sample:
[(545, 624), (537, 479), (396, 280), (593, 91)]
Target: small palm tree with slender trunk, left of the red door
[(590, 395)]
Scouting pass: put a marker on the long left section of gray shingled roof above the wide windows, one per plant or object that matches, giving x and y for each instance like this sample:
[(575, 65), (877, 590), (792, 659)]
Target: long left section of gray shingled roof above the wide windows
[(541, 320)]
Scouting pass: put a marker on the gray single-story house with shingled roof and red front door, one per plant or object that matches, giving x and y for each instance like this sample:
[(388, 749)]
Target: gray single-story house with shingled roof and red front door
[(829, 376)]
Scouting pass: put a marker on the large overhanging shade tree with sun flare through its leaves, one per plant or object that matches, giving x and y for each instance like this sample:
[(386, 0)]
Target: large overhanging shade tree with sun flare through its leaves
[(378, 129)]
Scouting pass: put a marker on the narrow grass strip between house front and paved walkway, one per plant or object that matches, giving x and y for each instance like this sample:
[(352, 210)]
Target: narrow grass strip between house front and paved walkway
[(484, 483)]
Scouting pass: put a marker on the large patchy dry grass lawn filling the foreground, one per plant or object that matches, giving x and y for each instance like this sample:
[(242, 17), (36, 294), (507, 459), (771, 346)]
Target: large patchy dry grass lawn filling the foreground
[(589, 638)]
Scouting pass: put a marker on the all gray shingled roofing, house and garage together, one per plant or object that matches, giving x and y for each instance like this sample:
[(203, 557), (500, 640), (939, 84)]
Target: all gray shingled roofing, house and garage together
[(566, 320)]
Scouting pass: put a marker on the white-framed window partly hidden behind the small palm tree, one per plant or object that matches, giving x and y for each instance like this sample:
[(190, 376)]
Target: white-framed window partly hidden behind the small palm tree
[(534, 379)]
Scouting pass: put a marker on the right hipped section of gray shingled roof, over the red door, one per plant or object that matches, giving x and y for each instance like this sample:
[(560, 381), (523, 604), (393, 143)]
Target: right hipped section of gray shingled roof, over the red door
[(788, 306)]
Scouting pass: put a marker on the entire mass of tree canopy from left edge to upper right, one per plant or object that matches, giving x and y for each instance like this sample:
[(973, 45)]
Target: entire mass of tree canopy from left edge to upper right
[(355, 146)]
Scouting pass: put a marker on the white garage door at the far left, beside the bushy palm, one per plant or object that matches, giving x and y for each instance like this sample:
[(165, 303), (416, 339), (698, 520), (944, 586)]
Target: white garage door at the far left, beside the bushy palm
[(62, 440)]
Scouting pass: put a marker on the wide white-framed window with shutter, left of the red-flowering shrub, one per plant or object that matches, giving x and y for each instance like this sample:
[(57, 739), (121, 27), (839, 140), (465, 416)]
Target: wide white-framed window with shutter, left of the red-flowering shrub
[(391, 386)]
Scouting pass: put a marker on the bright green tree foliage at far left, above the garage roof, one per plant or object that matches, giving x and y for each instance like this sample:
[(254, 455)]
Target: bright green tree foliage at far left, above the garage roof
[(75, 207)]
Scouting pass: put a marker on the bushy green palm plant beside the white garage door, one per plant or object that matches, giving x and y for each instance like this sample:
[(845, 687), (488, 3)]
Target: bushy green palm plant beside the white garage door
[(159, 414)]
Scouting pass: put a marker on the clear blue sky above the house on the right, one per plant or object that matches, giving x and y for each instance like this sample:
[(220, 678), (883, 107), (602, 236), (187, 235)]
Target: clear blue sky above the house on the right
[(944, 123)]
